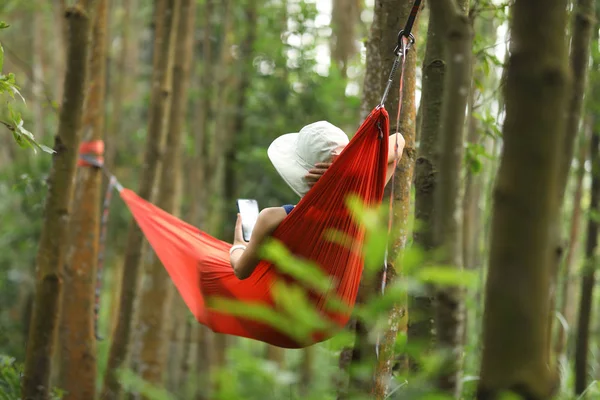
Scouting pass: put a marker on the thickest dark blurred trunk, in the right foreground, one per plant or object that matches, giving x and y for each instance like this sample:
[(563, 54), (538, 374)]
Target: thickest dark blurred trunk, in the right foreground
[(515, 349)]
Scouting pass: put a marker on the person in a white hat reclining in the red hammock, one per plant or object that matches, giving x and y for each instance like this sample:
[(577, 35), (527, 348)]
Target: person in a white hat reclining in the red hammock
[(301, 159)]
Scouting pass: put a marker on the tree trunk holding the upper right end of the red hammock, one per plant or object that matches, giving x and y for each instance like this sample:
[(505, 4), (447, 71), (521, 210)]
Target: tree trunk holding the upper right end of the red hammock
[(389, 18)]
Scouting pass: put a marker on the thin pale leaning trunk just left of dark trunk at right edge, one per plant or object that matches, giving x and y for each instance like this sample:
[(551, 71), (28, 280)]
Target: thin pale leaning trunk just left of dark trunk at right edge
[(567, 306)]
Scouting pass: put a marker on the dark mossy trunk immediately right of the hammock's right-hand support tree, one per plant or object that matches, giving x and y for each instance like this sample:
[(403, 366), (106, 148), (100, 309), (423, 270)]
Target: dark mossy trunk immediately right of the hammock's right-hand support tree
[(420, 325)]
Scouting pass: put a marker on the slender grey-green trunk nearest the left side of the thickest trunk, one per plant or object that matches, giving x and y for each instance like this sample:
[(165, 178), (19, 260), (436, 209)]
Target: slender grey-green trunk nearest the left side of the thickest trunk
[(449, 310)]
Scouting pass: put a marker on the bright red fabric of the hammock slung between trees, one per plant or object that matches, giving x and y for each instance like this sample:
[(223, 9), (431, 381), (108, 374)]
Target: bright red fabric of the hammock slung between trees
[(199, 264)]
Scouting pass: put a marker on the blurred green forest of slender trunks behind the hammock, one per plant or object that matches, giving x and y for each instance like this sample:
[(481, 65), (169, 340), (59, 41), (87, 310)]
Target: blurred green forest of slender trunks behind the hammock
[(234, 76)]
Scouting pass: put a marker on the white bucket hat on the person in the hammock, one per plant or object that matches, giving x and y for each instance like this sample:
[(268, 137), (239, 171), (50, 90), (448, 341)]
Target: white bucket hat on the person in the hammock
[(293, 154)]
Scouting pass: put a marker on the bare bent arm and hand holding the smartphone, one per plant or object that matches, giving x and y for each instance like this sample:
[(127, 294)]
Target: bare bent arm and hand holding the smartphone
[(245, 261)]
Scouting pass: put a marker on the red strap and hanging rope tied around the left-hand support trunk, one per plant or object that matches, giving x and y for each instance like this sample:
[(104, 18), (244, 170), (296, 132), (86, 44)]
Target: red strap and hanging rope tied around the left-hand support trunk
[(91, 156)]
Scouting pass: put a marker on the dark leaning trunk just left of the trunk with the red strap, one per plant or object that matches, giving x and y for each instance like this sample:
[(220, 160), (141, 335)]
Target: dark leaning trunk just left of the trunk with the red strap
[(52, 246)]
